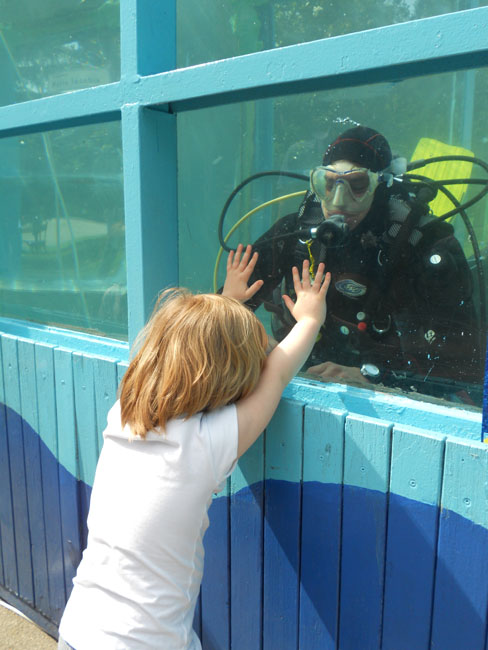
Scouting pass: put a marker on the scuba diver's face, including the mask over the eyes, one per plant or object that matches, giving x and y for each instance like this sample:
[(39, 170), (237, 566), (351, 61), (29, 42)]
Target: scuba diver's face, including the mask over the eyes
[(349, 195)]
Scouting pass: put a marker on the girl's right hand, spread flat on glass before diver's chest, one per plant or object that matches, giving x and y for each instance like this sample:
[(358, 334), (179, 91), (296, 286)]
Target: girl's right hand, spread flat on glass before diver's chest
[(310, 301)]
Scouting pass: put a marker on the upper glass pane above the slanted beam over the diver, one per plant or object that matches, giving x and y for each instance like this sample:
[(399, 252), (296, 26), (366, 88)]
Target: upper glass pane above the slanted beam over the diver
[(214, 29)]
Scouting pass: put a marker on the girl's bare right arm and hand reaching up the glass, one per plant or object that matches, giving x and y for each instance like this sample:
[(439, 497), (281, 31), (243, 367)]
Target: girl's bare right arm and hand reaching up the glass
[(255, 410)]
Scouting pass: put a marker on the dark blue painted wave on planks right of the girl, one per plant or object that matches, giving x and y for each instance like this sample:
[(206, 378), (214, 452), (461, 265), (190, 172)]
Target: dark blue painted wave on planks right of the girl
[(351, 568)]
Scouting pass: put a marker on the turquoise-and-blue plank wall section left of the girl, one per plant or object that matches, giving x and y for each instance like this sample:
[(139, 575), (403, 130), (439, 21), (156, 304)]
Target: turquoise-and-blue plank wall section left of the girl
[(52, 414)]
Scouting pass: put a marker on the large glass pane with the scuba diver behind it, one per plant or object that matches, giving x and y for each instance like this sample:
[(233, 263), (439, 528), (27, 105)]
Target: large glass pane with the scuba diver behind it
[(415, 306)]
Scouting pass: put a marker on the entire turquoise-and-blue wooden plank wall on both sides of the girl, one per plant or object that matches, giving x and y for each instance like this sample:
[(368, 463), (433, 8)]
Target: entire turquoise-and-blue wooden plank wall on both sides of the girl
[(336, 531)]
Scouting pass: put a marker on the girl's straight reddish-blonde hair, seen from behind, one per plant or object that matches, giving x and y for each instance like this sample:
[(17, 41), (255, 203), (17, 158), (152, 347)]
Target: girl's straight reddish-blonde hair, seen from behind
[(198, 352)]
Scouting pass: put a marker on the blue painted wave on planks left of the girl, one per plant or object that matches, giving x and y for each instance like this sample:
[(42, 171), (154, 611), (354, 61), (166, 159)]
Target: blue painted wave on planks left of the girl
[(43, 510)]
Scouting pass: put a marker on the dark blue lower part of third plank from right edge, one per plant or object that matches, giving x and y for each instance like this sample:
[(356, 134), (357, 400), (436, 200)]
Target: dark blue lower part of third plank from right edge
[(362, 568)]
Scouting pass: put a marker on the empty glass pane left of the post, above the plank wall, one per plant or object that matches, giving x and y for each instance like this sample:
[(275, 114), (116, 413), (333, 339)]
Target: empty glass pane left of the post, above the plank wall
[(62, 250)]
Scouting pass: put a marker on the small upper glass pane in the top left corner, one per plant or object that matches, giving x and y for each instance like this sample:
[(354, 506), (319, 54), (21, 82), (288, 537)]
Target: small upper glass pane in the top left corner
[(54, 46)]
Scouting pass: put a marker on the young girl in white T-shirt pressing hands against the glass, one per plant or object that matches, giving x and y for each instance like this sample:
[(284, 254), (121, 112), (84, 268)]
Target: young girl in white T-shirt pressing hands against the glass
[(198, 393)]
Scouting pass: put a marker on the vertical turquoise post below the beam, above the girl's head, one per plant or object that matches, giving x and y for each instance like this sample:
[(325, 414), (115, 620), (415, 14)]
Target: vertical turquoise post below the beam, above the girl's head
[(150, 208)]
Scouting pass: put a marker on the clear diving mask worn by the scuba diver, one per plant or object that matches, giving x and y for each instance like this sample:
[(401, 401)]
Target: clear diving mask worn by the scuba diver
[(350, 190)]
